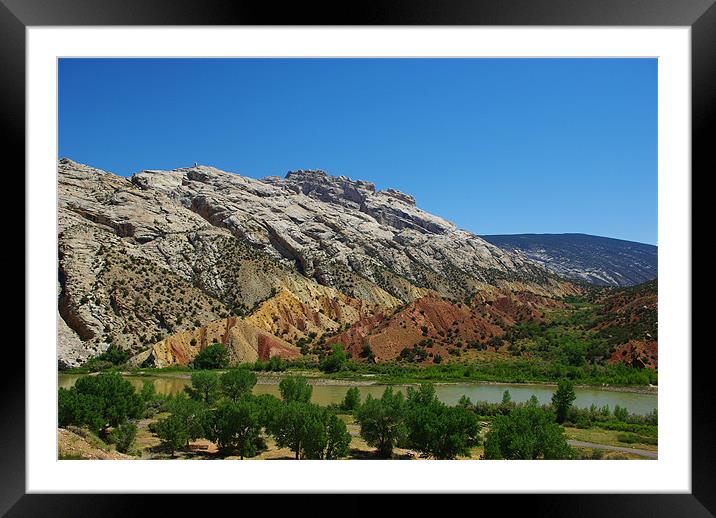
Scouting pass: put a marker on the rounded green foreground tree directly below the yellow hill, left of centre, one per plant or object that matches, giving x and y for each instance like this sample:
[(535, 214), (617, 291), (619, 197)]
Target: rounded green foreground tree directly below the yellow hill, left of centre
[(236, 427)]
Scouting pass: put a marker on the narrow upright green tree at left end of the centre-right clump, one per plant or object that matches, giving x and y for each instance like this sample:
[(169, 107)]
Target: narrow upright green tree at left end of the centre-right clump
[(381, 421)]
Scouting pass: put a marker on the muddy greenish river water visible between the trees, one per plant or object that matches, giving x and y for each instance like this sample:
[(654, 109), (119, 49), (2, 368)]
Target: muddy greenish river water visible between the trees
[(449, 393)]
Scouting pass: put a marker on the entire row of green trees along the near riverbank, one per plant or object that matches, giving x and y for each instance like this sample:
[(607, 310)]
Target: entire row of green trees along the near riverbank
[(223, 409)]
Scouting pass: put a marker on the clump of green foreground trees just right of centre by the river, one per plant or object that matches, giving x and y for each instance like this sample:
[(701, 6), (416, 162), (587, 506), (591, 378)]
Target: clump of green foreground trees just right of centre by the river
[(419, 421)]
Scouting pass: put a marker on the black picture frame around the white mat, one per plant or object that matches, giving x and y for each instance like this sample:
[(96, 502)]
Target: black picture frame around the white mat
[(699, 15)]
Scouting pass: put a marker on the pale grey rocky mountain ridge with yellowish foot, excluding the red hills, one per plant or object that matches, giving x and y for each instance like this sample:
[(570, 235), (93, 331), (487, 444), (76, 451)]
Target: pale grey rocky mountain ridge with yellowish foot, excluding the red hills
[(167, 253)]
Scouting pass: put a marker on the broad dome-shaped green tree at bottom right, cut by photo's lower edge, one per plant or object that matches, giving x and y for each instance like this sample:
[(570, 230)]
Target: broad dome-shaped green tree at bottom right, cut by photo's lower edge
[(527, 432)]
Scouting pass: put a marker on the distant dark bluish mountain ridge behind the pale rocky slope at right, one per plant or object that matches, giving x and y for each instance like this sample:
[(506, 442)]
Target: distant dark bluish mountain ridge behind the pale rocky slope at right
[(594, 259)]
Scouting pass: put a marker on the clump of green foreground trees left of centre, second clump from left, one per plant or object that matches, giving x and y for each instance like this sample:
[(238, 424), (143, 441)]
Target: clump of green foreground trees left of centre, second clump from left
[(223, 409)]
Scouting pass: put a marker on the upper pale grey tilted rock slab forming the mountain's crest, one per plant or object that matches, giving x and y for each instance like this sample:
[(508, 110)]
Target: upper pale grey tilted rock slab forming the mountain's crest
[(336, 230)]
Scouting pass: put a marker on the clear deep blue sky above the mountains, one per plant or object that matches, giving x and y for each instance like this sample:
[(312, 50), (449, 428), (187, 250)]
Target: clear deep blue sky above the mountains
[(499, 146)]
